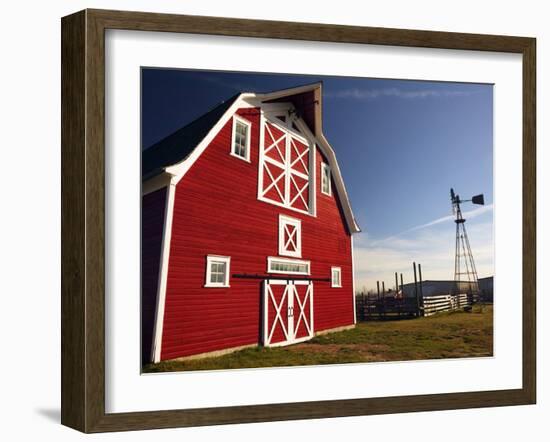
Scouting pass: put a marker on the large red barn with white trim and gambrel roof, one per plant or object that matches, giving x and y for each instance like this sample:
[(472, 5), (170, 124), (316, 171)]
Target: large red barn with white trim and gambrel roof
[(246, 230)]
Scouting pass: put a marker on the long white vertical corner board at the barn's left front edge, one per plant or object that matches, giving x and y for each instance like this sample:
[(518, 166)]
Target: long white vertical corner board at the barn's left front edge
[(163, 272)]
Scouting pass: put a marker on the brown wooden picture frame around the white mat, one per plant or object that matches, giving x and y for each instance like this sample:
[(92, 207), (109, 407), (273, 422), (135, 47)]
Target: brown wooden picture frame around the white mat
[(83, 220)]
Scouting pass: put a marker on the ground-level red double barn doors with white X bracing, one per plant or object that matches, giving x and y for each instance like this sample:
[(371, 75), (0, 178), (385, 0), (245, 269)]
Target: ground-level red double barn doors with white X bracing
[(288, 312)]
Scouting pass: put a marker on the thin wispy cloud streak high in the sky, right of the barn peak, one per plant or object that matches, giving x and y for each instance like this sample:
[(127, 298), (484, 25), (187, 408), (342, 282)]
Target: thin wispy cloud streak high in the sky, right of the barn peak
[(371, 94)]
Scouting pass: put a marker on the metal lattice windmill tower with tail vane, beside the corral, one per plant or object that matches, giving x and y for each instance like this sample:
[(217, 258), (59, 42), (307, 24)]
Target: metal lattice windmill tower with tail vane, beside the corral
[(465, 268)]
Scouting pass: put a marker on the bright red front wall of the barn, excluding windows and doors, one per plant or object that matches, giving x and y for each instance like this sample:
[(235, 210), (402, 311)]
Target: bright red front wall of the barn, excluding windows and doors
[(216, 211)]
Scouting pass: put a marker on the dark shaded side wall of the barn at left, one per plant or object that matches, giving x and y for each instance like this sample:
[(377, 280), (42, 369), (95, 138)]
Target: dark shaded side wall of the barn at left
[(152, 221)]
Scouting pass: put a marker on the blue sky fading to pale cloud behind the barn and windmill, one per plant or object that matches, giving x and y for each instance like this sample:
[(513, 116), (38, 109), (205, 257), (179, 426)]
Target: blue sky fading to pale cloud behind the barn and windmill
[(400, 146)]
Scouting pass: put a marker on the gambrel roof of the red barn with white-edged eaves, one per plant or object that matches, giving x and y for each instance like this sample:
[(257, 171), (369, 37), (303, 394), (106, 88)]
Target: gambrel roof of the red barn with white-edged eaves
[(175, 154)]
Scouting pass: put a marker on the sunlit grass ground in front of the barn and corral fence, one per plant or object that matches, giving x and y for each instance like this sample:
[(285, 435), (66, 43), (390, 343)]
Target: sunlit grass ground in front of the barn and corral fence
[(445, 335)]
